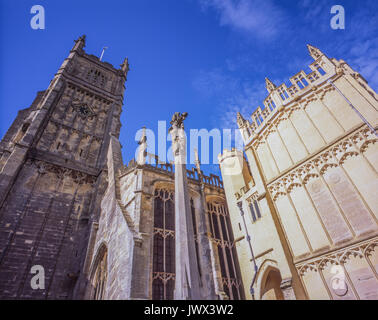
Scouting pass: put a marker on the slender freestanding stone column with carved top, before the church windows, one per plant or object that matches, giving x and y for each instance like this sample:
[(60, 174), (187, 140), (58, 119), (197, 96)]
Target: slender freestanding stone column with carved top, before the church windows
[(187, 283)]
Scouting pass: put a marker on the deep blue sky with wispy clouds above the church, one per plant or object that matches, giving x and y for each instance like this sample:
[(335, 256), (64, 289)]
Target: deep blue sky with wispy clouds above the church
[(206, 57)]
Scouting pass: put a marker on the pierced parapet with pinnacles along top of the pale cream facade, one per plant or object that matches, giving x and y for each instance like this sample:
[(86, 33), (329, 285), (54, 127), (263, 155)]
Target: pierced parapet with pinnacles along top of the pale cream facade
[(322, 68)]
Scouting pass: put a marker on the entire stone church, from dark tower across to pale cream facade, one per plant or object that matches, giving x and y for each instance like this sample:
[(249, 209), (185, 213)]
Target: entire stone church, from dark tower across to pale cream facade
[(295, 217)]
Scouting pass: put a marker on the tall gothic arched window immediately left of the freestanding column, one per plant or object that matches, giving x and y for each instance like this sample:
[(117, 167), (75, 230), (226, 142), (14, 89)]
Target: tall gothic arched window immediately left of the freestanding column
[(163, 266)]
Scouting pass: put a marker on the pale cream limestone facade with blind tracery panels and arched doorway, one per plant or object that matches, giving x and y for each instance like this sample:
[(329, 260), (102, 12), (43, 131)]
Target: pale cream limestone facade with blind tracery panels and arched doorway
[(308, 187)]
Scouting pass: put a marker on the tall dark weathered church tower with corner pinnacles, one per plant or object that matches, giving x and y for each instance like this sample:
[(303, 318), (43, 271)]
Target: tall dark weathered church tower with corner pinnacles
[(52, 177)]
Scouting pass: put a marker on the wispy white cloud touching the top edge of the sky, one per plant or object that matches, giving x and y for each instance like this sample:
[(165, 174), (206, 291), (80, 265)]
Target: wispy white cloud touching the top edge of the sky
[(263, 19)]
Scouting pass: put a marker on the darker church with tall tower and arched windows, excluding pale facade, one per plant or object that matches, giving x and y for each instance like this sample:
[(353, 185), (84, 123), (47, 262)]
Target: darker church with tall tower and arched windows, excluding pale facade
[(99, 229)]
